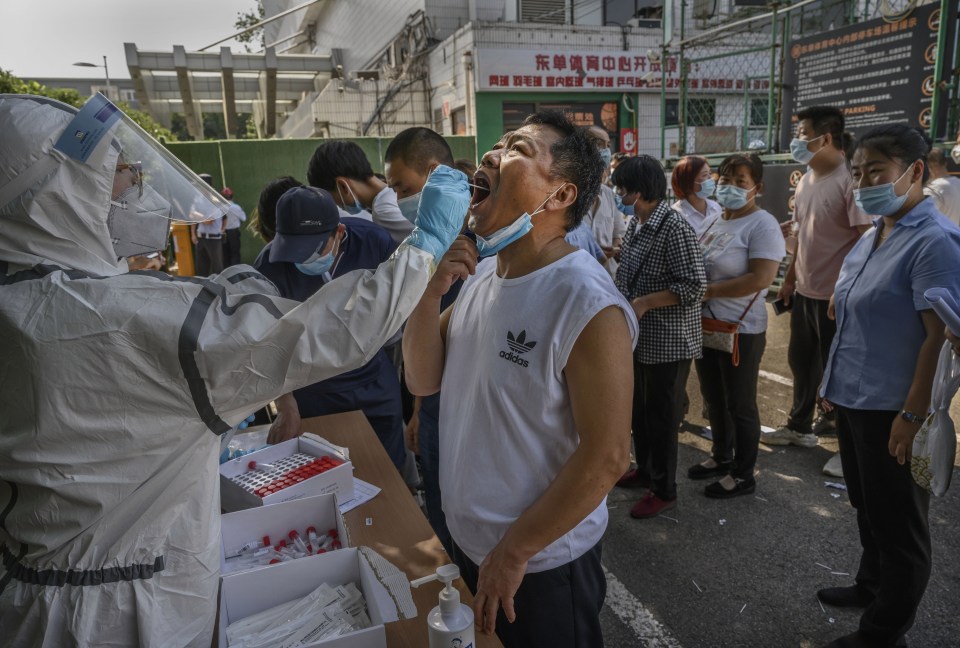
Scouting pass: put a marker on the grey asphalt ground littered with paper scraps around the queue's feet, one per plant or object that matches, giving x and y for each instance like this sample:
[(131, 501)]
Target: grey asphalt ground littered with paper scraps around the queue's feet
[(744, 572)]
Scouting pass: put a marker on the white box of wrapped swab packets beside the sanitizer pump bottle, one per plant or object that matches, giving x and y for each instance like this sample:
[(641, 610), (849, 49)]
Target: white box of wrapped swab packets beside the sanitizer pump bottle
[(247, 593)]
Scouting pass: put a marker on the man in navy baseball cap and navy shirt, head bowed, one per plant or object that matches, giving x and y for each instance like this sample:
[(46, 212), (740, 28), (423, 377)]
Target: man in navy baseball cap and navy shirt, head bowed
[(313, 246)]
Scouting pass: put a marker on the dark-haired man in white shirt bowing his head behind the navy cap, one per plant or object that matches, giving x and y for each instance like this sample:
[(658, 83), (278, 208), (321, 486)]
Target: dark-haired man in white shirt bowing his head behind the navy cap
[(342, 168)]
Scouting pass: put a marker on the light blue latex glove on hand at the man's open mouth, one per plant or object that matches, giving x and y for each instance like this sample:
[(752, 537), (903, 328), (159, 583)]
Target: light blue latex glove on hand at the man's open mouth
[(443, 207)]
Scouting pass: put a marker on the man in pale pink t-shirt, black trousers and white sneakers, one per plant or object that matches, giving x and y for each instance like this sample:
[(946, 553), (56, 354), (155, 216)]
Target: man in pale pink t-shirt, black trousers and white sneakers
[(829, 225)]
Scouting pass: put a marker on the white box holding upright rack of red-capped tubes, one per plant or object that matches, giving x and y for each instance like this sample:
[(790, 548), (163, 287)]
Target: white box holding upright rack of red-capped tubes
[(337, 480)]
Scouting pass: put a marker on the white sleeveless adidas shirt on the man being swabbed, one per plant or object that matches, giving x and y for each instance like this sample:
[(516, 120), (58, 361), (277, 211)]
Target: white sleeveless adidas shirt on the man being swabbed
[(505, 415)]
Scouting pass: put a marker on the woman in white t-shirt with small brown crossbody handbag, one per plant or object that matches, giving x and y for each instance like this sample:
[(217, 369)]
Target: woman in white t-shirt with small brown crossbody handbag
[(742, 251)]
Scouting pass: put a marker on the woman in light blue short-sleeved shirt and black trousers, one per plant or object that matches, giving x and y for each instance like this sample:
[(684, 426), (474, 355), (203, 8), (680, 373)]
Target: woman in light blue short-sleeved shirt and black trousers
[(880, 373)]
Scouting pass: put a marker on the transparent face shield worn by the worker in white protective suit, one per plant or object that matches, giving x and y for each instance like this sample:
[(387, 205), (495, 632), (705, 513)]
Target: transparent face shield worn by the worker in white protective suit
[(151, 187)]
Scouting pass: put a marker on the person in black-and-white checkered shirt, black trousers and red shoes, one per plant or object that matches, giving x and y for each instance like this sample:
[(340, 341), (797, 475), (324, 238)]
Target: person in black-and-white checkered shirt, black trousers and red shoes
[(661, 273)]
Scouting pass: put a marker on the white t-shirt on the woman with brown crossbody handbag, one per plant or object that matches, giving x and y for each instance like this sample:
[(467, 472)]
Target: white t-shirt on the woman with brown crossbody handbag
[(728, 246)]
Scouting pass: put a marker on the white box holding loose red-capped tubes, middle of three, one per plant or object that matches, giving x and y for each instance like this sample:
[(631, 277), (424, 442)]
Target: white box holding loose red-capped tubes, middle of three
[(319, 511)]
